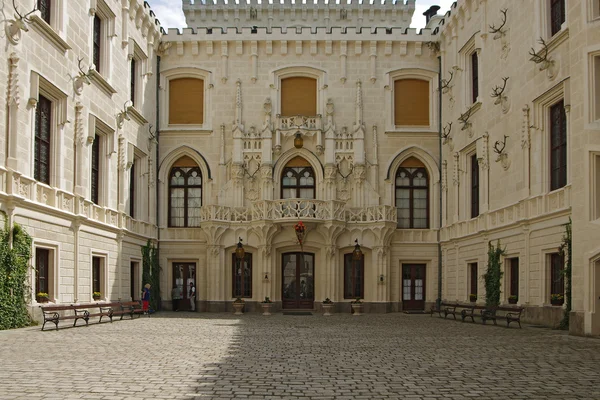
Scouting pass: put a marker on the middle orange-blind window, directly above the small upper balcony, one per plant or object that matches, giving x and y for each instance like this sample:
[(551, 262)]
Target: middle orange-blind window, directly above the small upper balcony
[(298, 96)]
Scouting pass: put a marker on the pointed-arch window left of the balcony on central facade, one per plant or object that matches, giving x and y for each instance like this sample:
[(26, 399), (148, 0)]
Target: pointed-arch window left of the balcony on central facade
[(185, 193)]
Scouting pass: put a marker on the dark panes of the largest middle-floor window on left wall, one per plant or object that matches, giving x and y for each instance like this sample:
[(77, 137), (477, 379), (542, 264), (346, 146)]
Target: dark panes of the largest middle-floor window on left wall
[(43, 120)]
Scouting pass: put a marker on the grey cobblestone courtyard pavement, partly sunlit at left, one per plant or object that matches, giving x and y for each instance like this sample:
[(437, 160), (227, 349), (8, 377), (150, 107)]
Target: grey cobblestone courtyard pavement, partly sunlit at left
[(219, 356)]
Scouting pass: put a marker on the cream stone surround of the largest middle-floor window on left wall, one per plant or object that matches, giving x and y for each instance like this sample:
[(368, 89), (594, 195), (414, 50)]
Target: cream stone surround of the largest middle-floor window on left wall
[(41, 86)]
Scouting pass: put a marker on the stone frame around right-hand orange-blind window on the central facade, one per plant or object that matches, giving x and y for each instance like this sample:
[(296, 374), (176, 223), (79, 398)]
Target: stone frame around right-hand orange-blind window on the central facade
[(421, 73)]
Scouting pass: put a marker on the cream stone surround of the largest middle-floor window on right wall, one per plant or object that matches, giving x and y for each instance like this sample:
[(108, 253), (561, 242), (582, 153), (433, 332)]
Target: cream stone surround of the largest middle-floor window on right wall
[(541, 118)]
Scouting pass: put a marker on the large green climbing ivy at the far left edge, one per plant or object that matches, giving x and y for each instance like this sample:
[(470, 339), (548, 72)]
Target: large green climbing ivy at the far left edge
[(14, 264)]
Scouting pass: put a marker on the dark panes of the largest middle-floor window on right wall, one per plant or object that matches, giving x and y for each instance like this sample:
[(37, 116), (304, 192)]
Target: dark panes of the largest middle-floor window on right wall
[(558, 146)]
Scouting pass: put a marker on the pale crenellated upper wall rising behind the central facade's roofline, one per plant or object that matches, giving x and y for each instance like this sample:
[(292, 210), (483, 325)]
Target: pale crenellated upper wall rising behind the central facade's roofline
[(265, 14)]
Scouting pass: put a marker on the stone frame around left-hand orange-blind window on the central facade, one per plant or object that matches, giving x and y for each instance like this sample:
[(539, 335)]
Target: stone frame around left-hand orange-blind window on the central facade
[(186, 72)]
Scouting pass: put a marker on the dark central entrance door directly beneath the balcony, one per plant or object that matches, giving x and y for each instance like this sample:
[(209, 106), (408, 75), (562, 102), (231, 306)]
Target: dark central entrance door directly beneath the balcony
[(298, 285)]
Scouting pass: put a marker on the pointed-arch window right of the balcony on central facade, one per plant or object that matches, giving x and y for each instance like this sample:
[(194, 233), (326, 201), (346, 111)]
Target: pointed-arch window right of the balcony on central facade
[(412, 195)]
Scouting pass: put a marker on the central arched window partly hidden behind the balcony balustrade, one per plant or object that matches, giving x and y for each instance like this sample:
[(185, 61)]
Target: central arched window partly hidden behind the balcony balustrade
[(298, 180)]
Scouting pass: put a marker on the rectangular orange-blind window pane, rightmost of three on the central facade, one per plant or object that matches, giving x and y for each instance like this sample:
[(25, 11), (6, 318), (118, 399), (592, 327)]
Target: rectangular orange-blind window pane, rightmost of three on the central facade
[(411, 102)]
